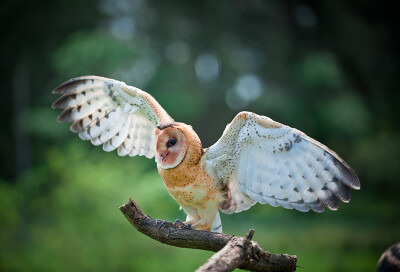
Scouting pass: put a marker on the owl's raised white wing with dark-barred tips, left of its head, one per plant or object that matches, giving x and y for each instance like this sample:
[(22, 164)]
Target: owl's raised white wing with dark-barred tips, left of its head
[(109, 112)]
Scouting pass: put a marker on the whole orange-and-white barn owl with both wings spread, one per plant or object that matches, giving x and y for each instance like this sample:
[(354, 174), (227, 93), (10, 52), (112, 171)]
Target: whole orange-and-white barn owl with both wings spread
[(255, 160)]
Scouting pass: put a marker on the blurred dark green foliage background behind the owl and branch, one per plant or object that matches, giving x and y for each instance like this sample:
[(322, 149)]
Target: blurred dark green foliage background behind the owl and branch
[(328, 68)]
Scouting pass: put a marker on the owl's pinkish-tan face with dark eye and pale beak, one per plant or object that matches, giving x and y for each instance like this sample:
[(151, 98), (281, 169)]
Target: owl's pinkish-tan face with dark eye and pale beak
[(171, 145)]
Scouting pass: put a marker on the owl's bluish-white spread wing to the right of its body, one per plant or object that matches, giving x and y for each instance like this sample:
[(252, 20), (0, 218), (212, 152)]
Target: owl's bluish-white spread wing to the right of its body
[(260, 160)]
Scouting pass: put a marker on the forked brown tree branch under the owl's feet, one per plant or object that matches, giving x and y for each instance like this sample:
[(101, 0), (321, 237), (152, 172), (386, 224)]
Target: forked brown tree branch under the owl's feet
[(233, 251)]
